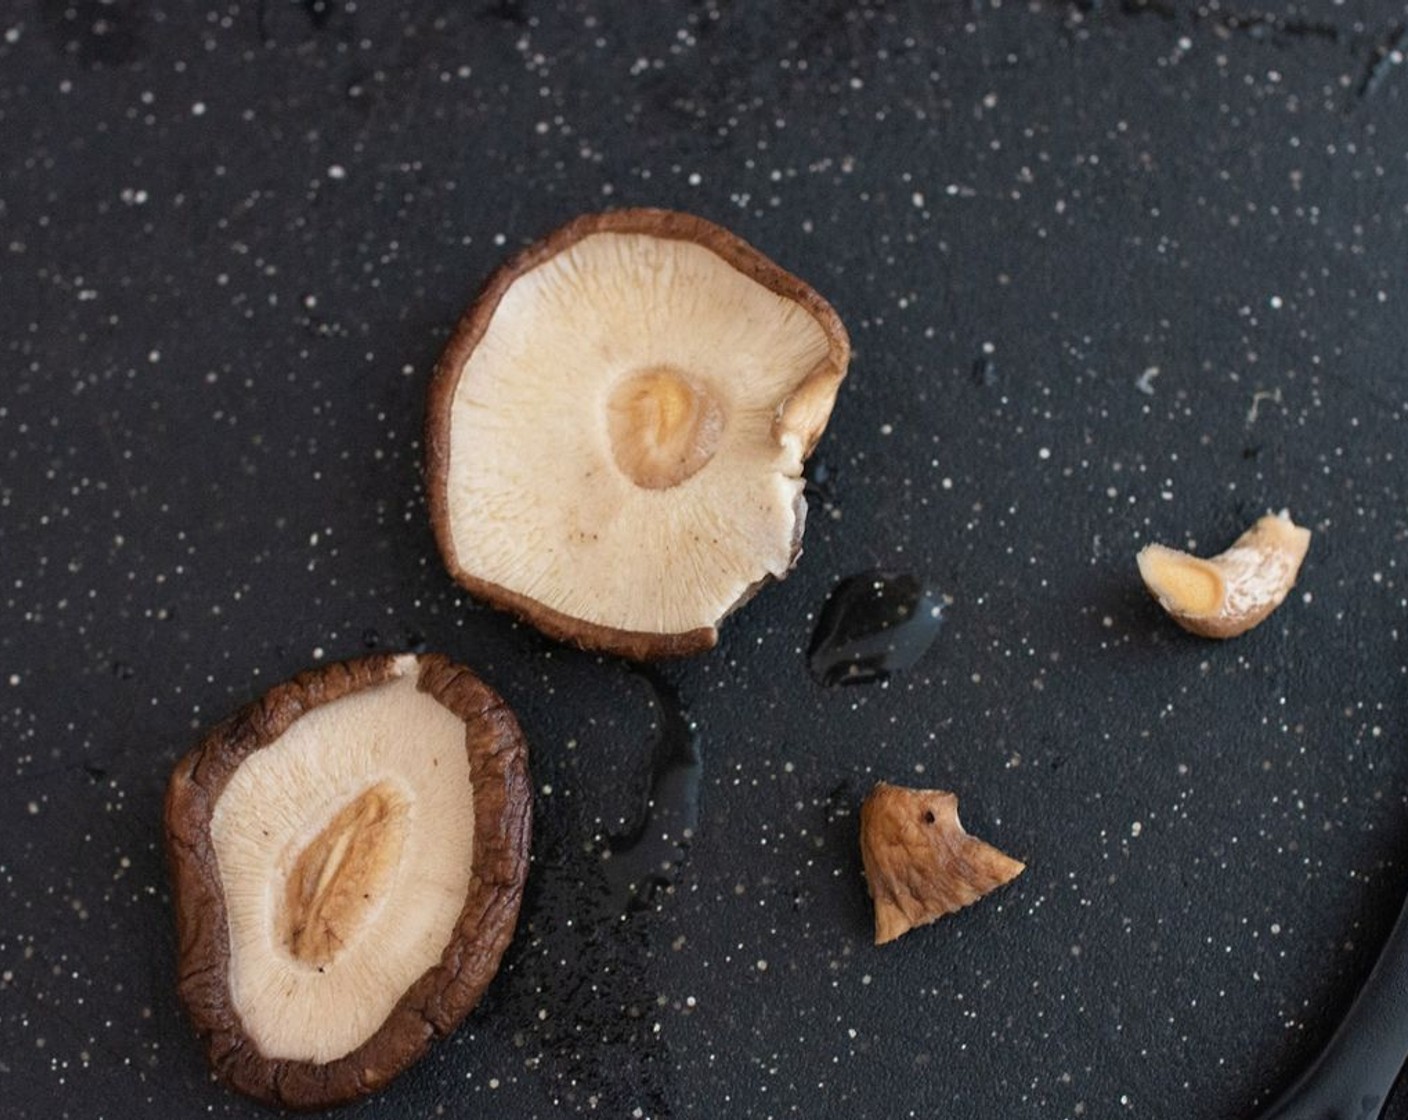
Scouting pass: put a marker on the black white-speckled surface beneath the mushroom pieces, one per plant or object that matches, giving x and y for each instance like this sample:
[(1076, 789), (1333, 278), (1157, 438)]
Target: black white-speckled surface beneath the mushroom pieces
[(1114, 273)]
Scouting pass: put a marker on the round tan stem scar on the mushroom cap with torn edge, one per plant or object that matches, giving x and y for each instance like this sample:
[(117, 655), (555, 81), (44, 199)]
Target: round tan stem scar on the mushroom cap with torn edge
[(664, 428)]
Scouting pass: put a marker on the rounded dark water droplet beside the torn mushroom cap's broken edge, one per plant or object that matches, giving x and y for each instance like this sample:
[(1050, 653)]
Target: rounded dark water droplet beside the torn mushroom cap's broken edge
[(875, 625)]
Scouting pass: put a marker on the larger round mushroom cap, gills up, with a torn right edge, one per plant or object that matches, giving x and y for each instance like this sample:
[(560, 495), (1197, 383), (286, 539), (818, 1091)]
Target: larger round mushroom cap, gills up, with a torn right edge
[(617, 429)]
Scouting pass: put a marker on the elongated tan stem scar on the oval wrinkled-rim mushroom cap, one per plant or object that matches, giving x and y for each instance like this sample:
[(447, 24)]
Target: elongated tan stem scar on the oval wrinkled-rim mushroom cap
[(340, 877)]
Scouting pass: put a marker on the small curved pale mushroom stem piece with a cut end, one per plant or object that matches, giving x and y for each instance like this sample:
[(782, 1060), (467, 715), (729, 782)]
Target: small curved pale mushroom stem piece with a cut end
[(1230, 594)]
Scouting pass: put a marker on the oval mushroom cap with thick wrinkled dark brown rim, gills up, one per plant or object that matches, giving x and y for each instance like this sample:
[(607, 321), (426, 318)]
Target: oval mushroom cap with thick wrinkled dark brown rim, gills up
[(348, 857)]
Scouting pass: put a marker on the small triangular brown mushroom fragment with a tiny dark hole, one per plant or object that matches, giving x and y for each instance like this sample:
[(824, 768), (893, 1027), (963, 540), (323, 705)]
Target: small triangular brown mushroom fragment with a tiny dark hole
[(920, 864)]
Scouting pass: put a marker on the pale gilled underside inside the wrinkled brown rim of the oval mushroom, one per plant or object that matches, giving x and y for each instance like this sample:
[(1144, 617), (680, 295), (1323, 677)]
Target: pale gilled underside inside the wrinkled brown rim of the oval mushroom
[(344, 870)]
